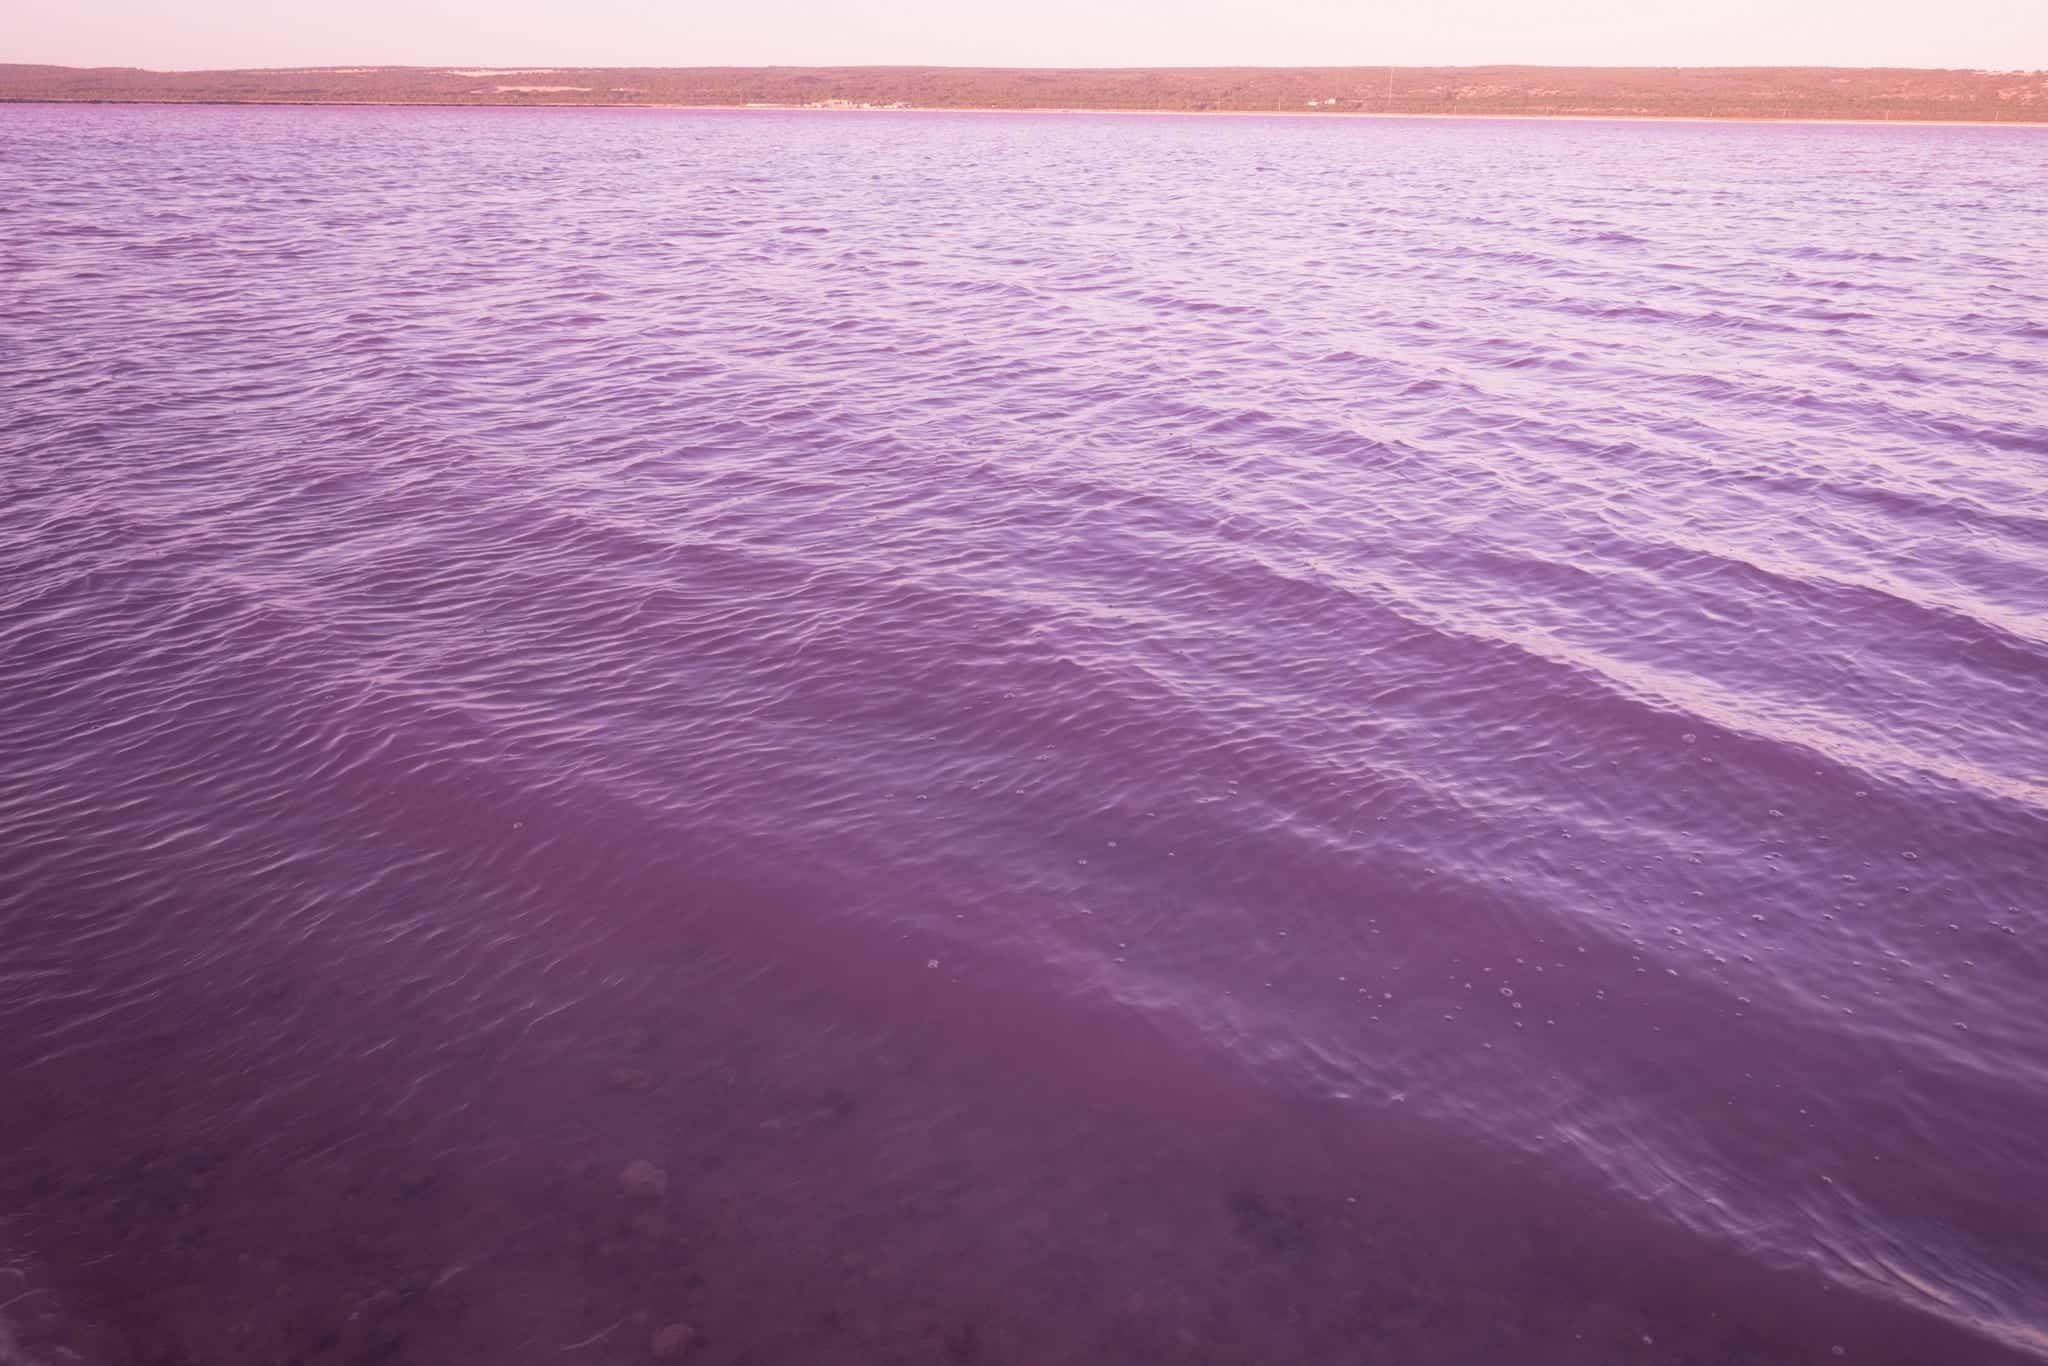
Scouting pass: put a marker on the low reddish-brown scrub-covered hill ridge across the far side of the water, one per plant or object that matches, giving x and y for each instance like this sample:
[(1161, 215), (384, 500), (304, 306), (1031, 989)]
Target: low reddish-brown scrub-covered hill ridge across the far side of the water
[(1639, 93)]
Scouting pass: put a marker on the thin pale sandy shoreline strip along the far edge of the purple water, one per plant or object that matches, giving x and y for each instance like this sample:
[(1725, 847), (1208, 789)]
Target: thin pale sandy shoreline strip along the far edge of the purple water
[(1052, 110)]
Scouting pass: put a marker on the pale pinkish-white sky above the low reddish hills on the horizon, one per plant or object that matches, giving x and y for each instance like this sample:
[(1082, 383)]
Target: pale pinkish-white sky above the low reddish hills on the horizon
[(200, 34)]
